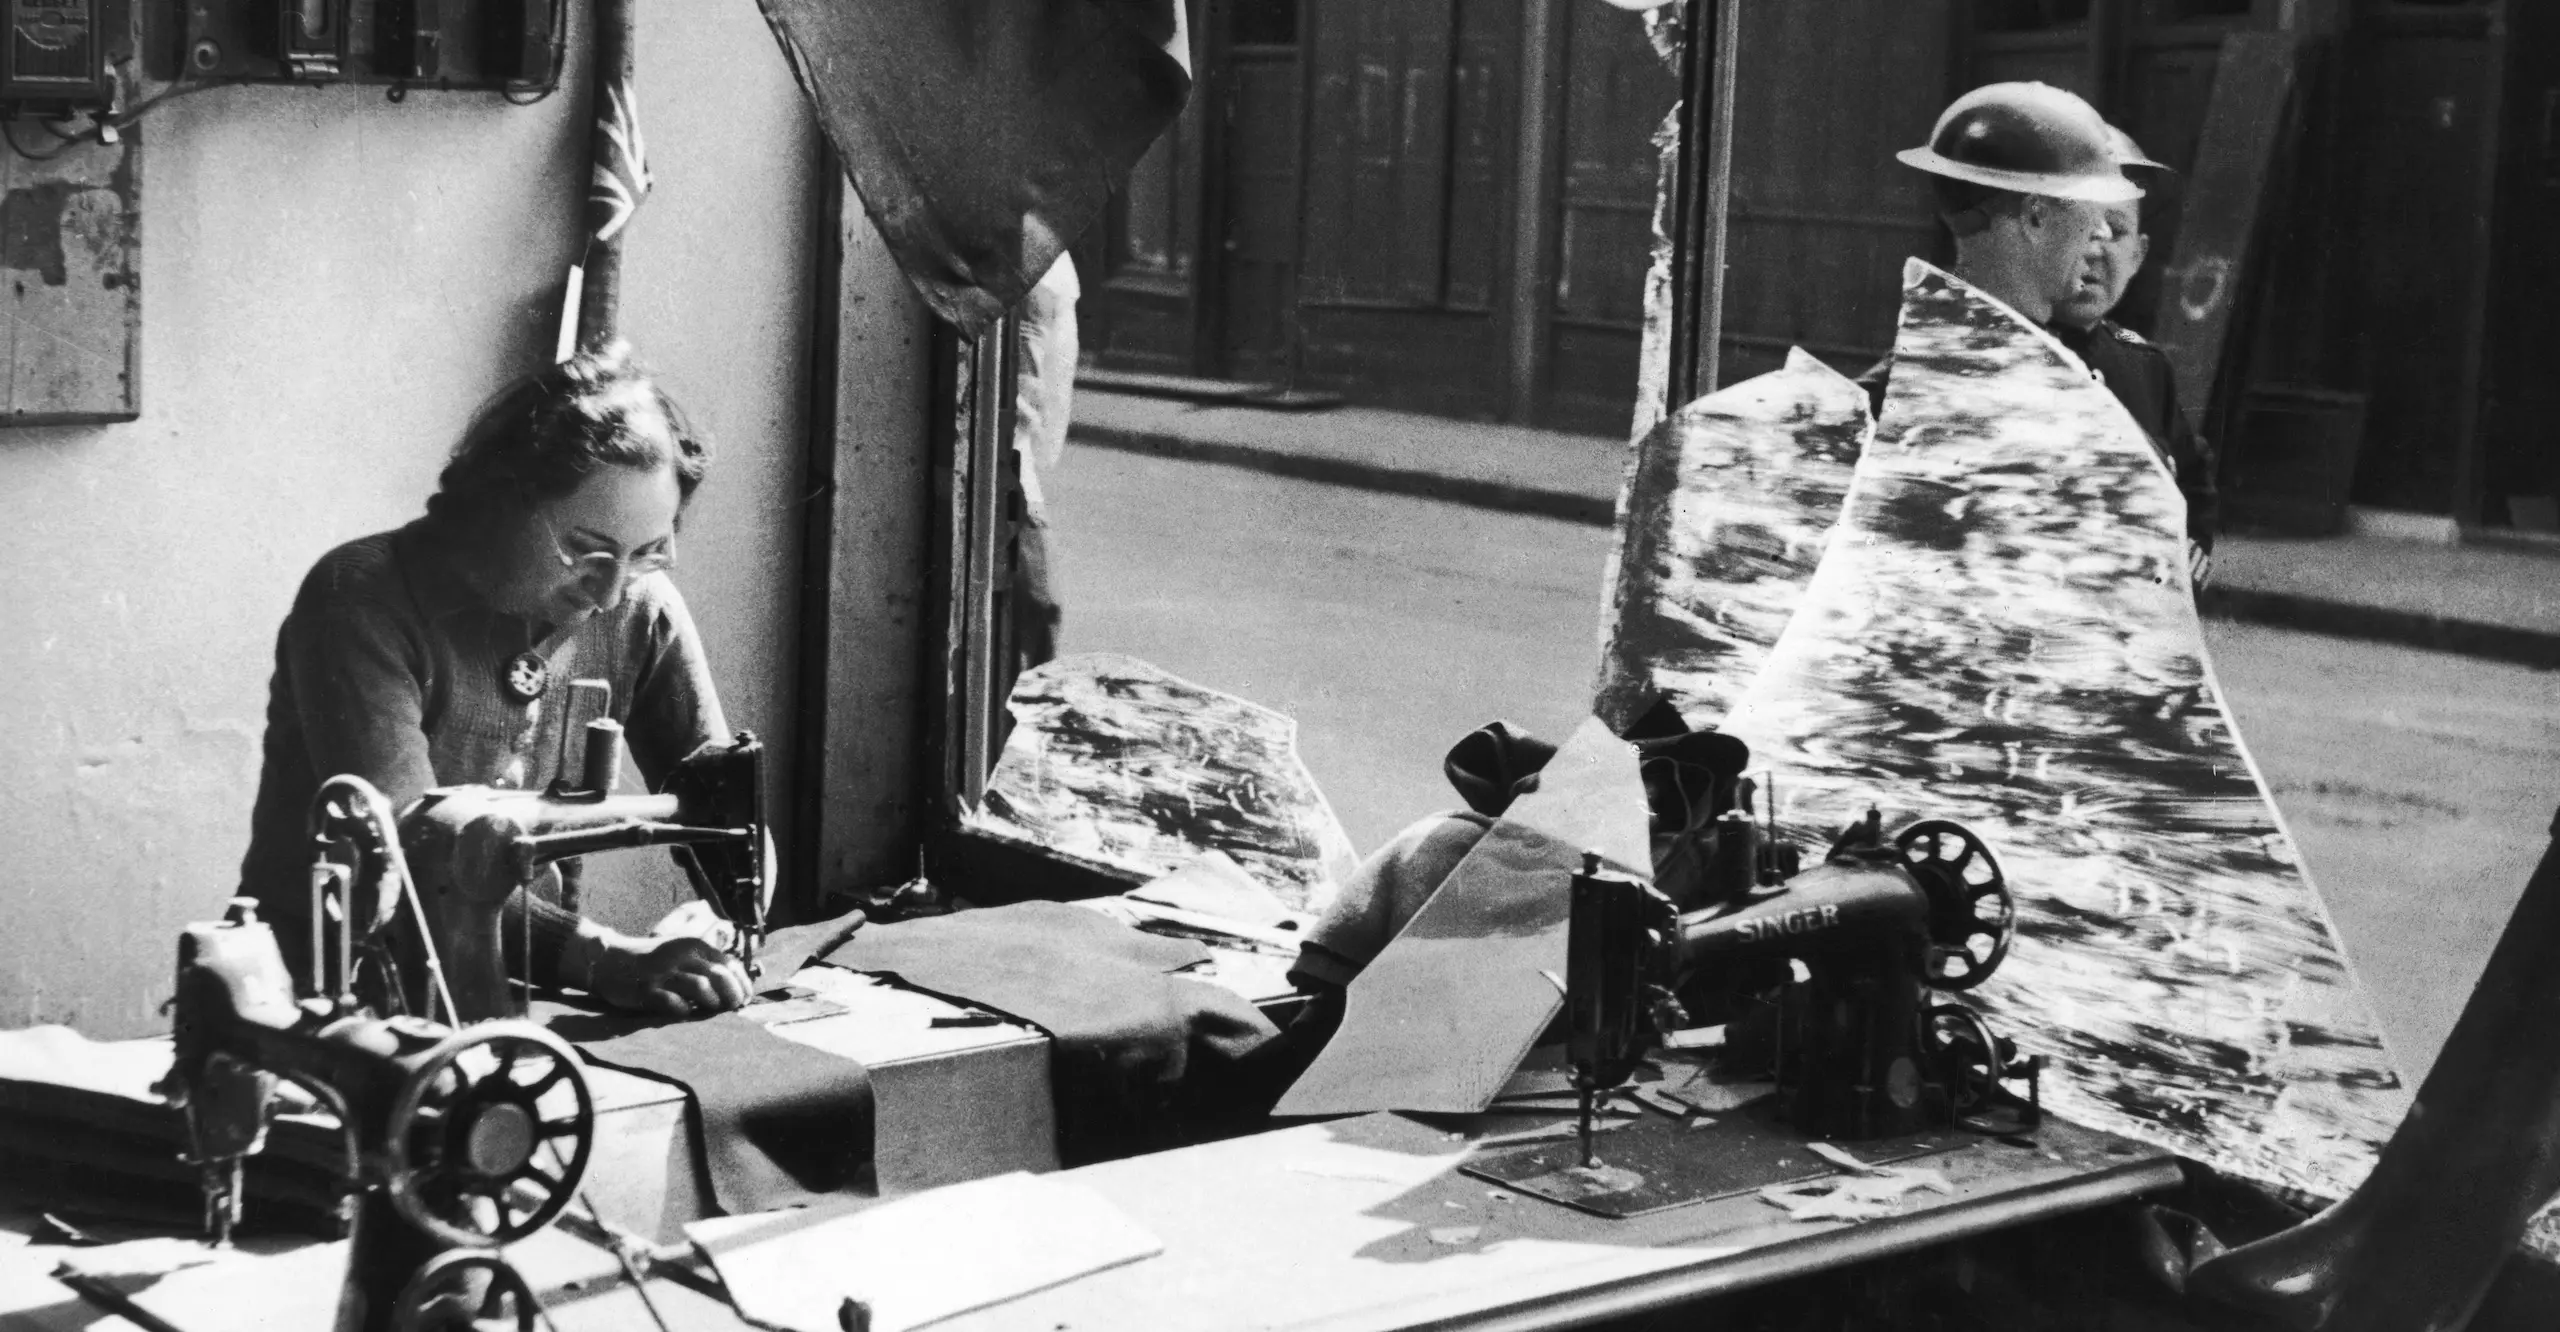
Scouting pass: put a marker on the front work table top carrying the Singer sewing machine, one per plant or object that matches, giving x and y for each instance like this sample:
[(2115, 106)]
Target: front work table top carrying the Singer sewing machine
[(1343, 1228)]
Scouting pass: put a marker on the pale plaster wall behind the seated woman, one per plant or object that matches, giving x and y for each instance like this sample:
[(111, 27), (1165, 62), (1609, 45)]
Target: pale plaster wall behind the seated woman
[(332, 283)]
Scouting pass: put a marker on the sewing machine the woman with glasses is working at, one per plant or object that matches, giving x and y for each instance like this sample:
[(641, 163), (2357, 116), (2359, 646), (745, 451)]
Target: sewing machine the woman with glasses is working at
[(470, 849)]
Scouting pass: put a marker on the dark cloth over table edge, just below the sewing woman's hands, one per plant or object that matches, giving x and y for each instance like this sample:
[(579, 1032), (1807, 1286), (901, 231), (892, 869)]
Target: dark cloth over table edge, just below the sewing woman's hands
[(777, 1123)]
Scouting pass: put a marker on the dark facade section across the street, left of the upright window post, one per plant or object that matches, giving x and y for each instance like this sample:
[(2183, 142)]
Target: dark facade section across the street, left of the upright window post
[(1422, 204)]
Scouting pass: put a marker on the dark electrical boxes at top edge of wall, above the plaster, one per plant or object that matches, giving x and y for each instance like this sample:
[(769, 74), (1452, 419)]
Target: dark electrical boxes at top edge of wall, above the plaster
[(447, 45)]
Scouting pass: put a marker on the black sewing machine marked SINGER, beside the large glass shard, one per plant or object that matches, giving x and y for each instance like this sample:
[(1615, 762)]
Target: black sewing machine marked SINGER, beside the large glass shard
[(1821, 980)]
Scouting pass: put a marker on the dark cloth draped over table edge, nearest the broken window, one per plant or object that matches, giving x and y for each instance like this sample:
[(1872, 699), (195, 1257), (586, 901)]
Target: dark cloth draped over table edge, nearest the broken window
[(1133, 1049)]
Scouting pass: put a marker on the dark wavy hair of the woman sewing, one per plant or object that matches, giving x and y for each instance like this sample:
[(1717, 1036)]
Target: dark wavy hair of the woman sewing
[(559, 426)]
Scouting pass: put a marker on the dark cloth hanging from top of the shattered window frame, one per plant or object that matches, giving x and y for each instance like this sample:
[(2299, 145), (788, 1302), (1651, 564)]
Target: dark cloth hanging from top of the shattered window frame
[(984, 137)]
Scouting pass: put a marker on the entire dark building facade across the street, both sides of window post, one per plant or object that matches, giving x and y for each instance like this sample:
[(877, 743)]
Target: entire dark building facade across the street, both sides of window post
[(1448, 206)]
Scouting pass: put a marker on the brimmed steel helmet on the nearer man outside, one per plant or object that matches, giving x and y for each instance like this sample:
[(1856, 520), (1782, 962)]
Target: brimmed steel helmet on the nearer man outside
[(2026, 137)]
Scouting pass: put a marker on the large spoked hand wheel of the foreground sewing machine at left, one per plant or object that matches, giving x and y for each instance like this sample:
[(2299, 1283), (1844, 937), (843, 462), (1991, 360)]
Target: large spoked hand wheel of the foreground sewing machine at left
[(475, 1159)]
